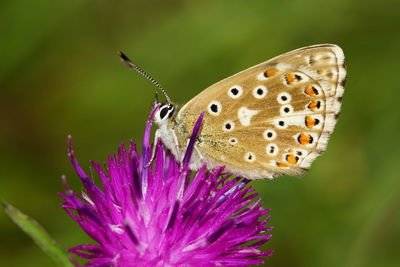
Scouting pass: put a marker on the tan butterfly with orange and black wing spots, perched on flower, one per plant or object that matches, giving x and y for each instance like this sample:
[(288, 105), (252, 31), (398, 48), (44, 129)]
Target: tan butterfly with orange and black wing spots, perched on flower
[(269, 120)]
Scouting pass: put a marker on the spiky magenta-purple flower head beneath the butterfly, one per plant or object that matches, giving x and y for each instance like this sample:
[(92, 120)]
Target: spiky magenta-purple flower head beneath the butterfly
[(165, 215)]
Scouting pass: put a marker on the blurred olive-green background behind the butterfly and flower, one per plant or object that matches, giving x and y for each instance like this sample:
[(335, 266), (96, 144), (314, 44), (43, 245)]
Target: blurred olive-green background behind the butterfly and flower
[(59, 75)]
